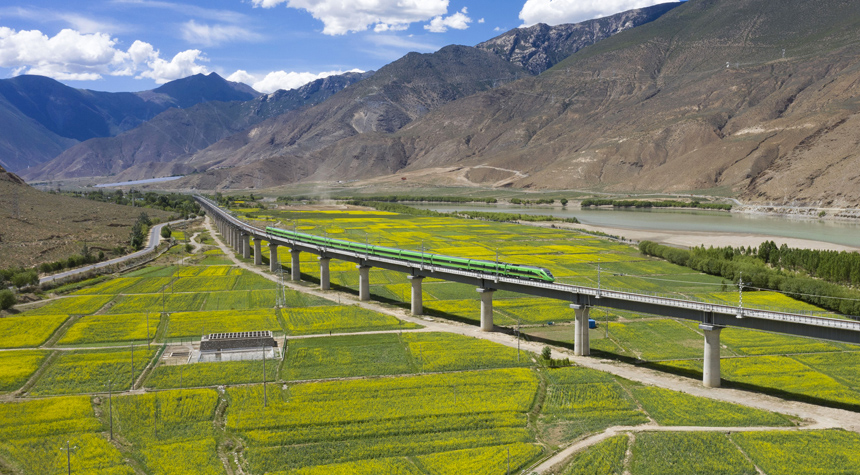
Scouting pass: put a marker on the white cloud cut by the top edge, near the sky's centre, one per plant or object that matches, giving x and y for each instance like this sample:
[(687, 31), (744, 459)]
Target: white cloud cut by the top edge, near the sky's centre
[(340, 17)]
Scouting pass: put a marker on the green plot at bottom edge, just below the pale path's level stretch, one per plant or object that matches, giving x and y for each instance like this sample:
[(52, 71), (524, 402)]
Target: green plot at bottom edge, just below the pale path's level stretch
[(687, 453)]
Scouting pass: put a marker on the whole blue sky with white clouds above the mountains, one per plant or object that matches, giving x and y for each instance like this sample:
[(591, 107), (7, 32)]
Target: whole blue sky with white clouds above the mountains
[(134, 45)]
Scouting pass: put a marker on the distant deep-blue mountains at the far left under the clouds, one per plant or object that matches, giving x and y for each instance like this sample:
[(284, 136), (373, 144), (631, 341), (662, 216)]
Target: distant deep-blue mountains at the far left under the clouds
[(42, 117)]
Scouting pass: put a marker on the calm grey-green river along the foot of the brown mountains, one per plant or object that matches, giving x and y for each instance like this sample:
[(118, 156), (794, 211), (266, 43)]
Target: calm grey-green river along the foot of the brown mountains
[(837, 232)]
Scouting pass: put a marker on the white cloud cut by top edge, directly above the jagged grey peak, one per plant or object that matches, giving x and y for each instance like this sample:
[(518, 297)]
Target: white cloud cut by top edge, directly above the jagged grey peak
[(556, 12)]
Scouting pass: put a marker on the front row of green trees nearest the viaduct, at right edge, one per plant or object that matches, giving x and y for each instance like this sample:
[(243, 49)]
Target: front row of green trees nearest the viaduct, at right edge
[(733, 264)]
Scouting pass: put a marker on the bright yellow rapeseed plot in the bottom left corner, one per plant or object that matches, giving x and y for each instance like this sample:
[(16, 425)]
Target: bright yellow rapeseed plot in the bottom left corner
[(32, 432)]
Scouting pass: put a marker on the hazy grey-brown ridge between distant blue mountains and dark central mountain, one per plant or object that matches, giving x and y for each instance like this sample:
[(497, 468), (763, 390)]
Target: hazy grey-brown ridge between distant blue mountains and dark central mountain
[(152, 148)]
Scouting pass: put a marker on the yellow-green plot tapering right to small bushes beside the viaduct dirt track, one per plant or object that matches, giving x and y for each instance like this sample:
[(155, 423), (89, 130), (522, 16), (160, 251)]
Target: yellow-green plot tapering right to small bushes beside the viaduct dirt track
[(451, 352)]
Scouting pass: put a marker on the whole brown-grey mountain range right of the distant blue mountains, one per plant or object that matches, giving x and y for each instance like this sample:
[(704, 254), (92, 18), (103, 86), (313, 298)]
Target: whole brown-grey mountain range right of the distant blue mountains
[(728, 95)]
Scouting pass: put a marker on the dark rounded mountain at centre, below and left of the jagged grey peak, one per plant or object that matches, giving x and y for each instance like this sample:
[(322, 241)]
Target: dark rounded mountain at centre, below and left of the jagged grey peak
[(394, 96)]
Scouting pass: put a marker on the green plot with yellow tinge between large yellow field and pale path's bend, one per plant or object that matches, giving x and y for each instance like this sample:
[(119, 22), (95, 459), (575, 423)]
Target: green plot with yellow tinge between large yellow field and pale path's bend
[(581, 400)]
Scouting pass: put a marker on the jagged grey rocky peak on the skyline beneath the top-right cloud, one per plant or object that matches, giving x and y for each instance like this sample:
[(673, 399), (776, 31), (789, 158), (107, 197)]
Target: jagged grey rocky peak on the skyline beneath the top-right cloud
[(540, 47)]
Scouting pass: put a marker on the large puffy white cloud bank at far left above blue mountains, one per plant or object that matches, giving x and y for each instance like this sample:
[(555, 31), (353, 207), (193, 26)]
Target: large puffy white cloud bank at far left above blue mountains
[(72, 55)]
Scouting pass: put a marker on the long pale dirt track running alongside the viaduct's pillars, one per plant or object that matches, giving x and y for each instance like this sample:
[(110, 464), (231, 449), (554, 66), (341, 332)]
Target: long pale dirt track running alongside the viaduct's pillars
[(821, 417)]
